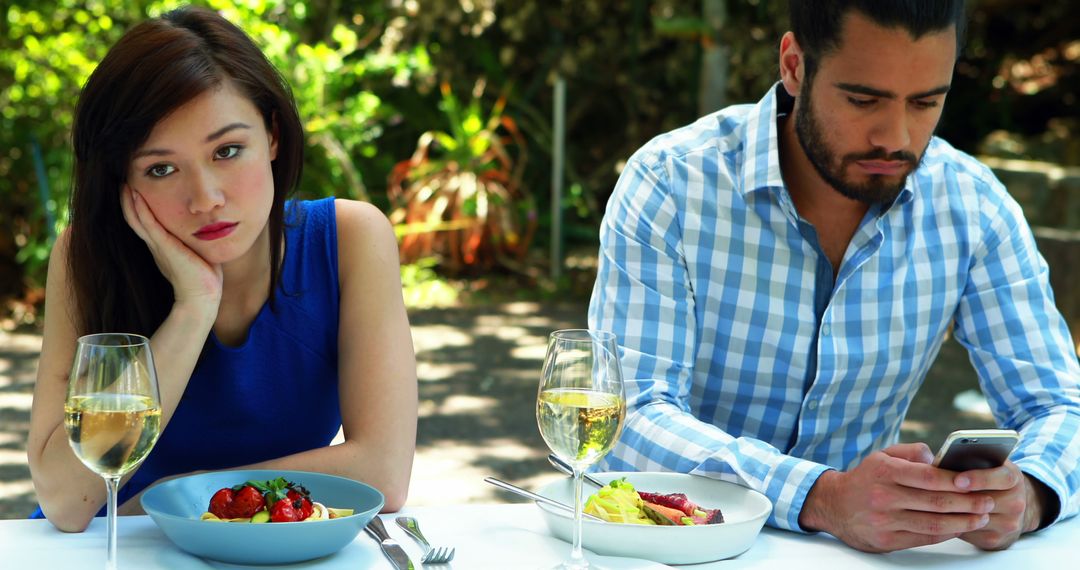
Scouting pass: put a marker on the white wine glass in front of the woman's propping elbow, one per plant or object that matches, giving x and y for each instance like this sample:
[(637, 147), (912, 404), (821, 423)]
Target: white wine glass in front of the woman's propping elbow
[(113, 412)]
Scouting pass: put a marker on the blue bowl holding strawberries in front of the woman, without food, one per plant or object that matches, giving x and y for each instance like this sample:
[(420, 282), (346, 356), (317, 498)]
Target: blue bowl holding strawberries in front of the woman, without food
[(177, 507)]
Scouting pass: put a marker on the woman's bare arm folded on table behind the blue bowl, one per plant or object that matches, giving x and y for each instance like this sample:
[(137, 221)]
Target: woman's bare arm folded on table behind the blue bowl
[(377, 367)]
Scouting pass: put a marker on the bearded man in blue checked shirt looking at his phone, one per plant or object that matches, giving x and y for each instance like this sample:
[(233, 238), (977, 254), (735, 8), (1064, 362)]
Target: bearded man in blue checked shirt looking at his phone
[(781, 277)]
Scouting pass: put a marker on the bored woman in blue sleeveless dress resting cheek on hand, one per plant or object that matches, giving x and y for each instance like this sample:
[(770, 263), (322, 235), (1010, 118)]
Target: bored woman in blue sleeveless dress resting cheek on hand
[(274, 323)]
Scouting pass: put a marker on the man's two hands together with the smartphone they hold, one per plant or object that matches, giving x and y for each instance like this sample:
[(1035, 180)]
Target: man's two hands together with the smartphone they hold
[(900, 498)]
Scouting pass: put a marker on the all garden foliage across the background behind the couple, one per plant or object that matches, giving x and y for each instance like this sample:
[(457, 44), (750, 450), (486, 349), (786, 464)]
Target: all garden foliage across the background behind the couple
[(364, 74)]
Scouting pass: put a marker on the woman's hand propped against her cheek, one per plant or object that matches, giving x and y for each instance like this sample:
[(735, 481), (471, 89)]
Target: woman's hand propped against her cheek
[(194, 280)]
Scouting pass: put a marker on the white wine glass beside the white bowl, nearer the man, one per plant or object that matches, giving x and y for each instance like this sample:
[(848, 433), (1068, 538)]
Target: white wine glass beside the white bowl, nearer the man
[(580, 408)]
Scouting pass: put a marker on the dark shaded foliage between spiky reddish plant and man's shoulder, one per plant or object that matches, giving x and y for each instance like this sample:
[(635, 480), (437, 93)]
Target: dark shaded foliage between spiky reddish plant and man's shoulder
[(631, 70)]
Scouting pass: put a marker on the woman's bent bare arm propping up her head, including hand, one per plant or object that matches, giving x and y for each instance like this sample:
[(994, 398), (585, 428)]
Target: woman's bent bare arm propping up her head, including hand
[(69, 493)]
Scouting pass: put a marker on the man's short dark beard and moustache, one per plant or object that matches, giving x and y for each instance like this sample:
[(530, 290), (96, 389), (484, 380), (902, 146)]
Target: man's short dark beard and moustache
[(877, 191)]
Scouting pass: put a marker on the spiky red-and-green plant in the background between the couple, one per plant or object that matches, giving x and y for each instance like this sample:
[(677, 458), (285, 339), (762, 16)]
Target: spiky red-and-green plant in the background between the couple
[(460, 196)]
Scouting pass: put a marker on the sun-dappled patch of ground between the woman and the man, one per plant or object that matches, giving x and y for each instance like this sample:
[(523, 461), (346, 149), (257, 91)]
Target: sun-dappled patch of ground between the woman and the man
[(479, 419)]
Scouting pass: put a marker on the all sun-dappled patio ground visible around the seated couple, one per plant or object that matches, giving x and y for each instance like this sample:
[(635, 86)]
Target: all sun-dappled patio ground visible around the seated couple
[(479, 369)]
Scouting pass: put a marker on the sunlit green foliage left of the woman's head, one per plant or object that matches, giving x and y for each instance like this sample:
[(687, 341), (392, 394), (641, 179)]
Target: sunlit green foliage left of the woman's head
[(46, 56)]
